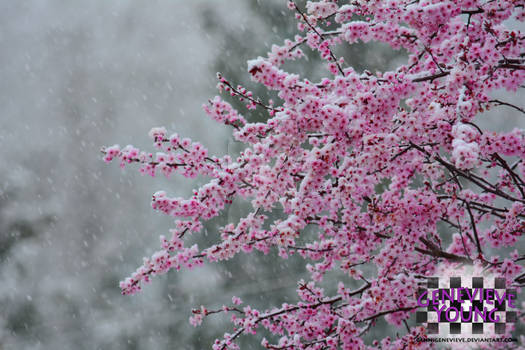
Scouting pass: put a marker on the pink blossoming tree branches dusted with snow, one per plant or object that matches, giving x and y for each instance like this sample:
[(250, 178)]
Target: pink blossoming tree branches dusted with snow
[(392, 170)]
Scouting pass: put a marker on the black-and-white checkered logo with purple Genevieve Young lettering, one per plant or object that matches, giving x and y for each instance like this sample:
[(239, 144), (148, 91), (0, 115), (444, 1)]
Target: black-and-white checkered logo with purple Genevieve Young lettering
[(456, 305)]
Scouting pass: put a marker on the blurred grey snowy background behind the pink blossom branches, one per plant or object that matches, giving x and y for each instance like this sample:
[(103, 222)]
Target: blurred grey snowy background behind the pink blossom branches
[(76, 76)]
